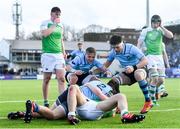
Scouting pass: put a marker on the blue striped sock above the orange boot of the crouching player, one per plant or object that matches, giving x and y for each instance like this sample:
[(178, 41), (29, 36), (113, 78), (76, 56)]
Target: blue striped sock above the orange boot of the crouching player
[(144, 87)]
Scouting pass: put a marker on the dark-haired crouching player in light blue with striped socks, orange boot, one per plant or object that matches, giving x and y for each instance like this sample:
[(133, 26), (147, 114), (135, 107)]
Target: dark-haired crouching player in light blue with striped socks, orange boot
[(133, 61)]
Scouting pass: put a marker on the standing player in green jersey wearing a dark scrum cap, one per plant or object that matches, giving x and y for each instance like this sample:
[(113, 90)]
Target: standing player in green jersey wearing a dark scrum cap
[(152, 37)]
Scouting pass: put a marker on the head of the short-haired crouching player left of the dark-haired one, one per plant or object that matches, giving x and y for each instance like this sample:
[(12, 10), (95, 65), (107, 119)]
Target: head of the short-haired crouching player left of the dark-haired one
[(90, 54)]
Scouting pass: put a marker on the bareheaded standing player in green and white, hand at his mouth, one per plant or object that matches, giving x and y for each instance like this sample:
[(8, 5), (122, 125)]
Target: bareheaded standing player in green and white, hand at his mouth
[(52, 59)]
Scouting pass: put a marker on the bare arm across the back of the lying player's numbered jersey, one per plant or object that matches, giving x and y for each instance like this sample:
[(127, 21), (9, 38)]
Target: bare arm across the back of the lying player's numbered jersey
[(97, 91)]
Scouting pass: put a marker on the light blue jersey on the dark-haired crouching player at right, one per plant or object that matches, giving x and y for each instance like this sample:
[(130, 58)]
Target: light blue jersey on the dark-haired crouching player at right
[(130, 55)]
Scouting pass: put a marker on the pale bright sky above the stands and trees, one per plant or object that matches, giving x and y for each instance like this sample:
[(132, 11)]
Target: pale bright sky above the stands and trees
[(81, 13)]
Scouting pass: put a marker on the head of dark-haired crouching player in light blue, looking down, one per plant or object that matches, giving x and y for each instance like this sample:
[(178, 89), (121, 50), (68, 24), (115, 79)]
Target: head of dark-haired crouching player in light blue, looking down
[(116, 43)]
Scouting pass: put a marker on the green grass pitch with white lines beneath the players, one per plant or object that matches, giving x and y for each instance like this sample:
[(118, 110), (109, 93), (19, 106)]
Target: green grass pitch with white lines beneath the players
[(21, 90)]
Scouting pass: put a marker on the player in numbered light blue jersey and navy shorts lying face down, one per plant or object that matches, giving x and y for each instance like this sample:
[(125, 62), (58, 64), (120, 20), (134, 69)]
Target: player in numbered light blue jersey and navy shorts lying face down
[(95, 90)]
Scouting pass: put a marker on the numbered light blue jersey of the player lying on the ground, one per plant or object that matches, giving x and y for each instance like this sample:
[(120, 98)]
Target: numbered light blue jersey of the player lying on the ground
[(106, 90)]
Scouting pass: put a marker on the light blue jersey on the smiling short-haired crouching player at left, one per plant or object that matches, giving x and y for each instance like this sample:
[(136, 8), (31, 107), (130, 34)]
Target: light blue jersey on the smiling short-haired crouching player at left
[(80, 63)]
